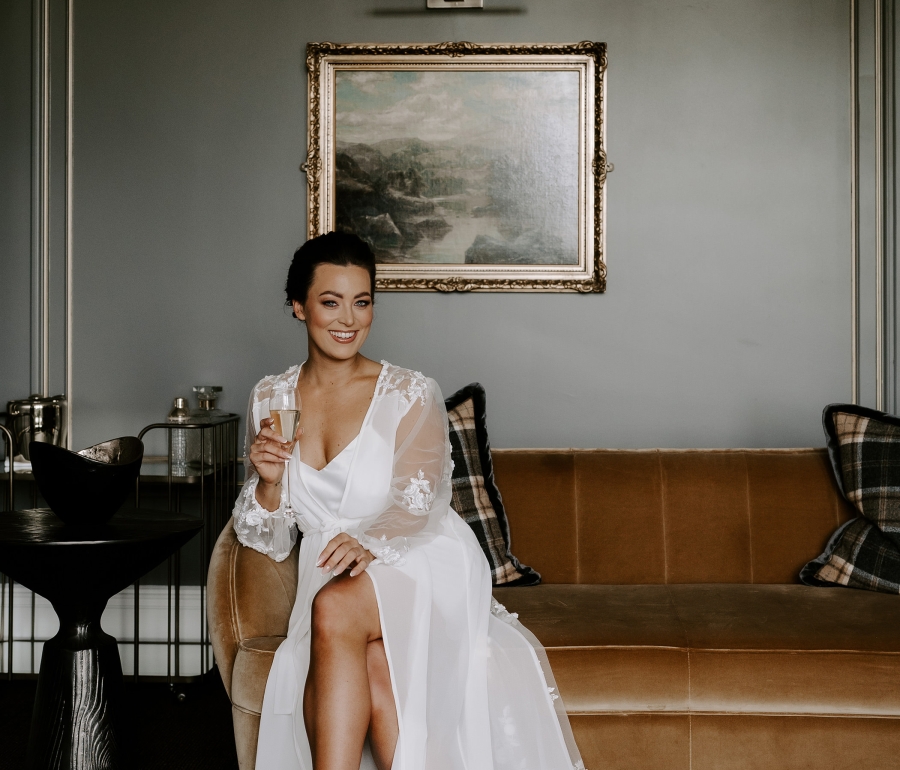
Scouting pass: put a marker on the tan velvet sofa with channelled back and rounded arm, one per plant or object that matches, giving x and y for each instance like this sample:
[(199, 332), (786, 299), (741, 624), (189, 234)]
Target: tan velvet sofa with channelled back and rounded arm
[(670, 610)]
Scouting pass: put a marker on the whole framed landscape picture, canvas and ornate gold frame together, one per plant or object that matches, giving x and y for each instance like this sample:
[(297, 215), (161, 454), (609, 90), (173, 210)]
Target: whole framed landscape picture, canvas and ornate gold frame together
[(467, 167)]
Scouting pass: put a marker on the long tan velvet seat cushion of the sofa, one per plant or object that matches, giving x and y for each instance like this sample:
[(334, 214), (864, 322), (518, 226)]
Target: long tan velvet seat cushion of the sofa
[(717, 648)]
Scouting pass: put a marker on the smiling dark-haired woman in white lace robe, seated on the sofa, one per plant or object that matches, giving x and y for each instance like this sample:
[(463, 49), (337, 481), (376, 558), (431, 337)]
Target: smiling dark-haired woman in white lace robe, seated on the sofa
[(397, 657)]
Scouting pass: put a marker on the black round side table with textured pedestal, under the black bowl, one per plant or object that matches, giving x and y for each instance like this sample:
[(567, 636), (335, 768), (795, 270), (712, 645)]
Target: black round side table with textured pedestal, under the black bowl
[(79, 696)]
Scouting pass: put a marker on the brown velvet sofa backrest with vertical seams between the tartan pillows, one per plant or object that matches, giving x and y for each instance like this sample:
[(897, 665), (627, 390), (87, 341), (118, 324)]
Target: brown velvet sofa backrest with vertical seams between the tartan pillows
[(669, 516)]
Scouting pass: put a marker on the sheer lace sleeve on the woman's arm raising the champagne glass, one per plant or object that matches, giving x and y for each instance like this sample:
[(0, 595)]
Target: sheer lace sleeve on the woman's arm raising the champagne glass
[(269, 532)]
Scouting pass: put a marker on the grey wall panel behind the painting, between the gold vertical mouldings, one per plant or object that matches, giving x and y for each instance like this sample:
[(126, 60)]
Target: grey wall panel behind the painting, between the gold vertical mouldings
[(727, 317)]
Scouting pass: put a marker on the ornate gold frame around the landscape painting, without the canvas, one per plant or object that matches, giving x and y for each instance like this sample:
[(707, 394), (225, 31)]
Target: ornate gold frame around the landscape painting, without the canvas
[(589, 59)]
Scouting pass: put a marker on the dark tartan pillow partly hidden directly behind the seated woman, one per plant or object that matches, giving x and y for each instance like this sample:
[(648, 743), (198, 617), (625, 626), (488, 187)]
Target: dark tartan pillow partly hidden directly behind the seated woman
[(475, 495)]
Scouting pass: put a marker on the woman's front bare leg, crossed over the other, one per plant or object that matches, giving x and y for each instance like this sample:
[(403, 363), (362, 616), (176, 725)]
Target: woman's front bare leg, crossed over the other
[(337, 701)]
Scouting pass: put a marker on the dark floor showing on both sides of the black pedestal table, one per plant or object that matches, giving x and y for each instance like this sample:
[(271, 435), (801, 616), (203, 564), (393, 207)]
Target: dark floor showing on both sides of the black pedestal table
[(192, 734)]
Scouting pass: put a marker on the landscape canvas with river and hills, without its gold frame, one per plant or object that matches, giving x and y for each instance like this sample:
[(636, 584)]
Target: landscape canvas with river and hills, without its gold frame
[(459, 167)]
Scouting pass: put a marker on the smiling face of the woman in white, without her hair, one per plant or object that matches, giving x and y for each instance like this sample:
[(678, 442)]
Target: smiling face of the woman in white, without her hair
[(338, 309)]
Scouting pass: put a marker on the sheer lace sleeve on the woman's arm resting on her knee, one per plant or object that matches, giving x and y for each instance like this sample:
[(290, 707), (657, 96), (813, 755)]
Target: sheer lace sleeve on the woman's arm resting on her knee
[(420, 491)]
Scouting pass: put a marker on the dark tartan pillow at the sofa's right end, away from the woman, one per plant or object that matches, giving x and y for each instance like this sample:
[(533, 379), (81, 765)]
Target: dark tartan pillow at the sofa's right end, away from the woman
[(864, 448)]
